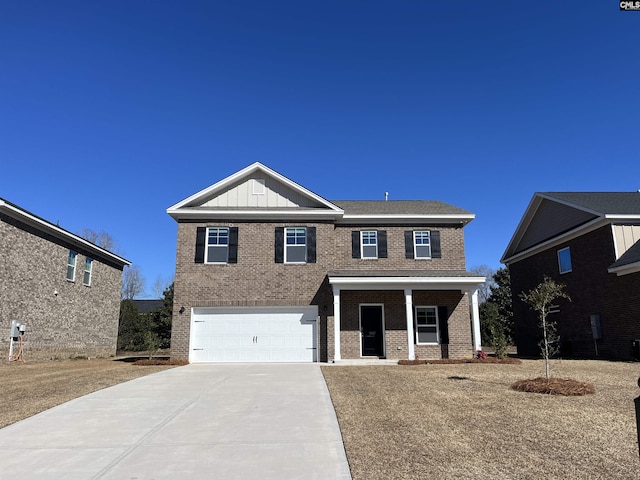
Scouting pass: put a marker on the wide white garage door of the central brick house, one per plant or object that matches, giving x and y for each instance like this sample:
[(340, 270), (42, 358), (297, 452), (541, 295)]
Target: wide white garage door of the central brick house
[(248, 334)]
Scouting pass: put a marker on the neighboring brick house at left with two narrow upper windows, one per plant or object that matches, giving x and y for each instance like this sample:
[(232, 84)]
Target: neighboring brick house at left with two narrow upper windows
[(65, 289)]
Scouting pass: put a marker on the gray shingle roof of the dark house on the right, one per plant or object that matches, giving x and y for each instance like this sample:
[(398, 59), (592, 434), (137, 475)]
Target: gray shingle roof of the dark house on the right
[(621, 203)]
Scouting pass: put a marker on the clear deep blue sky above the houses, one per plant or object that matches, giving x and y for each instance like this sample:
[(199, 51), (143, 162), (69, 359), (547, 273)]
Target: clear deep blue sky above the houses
[(112, 111)]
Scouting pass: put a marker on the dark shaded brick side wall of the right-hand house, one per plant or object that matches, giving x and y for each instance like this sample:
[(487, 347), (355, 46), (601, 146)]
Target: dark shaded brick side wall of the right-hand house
[(592, 290)]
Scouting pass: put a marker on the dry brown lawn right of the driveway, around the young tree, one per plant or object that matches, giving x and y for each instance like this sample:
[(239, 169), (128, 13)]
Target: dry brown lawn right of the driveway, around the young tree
[(464, 421)]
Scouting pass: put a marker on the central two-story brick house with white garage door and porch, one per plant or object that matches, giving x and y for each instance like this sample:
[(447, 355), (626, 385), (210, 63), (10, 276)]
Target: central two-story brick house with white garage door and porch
[(267, 270)]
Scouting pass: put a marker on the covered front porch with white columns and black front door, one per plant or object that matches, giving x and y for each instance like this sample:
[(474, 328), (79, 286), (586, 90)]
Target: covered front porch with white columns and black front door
[(403, 315)]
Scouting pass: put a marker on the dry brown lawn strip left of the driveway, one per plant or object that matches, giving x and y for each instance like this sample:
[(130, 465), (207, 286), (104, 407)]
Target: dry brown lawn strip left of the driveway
[(30, 388)]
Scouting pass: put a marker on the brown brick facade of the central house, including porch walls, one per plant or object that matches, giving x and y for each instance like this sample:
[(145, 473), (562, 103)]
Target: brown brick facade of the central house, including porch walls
[(256, 280)]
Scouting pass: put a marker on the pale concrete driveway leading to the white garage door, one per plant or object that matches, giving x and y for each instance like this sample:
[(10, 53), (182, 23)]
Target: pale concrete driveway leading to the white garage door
[(232, 421)]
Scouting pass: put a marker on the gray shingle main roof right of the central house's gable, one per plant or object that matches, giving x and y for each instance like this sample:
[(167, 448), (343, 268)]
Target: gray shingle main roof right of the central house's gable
[(398, 207)]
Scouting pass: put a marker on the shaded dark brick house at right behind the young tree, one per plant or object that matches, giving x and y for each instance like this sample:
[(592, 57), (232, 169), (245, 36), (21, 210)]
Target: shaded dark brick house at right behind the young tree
[(590, 242)]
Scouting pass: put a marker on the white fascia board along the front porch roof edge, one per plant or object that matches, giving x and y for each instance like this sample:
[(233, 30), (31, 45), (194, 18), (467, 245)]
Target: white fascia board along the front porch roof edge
[(386, 283)]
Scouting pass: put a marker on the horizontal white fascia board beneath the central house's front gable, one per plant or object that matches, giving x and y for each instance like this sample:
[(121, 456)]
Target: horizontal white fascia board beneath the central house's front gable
[(200, 214)]
